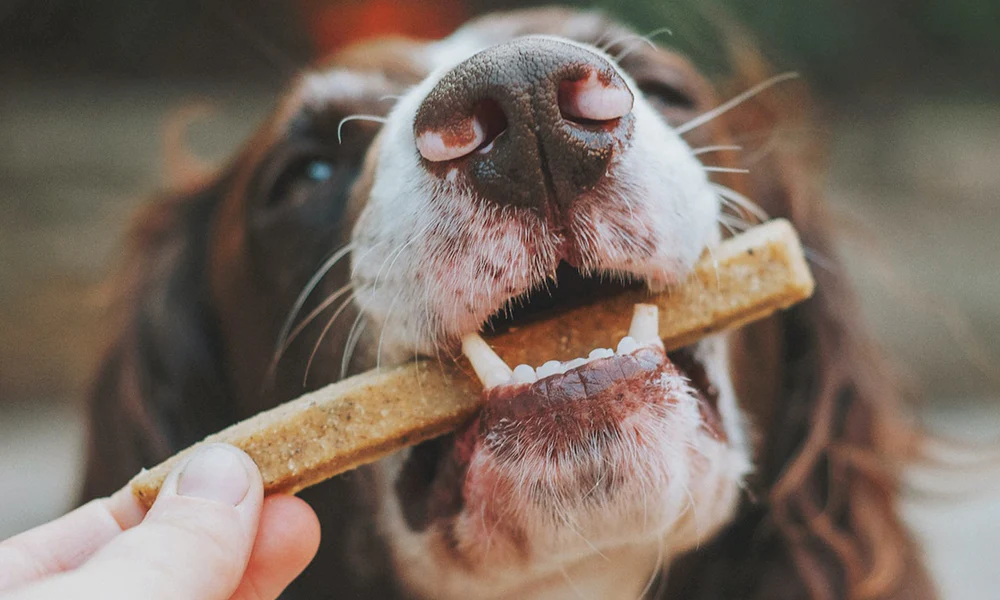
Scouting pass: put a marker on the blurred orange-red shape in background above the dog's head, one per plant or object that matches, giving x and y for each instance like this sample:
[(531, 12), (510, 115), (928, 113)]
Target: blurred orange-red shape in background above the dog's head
[(335, 23)]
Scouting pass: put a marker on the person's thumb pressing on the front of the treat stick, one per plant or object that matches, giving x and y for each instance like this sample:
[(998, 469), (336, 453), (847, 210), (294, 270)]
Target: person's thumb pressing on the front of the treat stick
[(194, 542)]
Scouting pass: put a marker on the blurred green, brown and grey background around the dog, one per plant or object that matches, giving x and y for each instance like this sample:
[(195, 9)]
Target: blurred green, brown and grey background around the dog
[(906, 97)]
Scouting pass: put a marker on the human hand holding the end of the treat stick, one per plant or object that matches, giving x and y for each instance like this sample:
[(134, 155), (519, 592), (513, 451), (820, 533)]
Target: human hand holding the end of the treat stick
[(210, 535)]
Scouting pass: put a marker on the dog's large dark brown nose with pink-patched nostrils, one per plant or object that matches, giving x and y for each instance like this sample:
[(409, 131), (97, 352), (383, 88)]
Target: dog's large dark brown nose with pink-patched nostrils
[(532, 122)]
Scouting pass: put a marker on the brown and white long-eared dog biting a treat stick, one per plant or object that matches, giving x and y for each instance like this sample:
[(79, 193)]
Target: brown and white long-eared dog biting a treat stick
[(404, 194)]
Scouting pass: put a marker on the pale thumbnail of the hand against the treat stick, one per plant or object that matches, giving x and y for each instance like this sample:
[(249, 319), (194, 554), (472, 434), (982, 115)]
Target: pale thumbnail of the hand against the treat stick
[(215, 473)]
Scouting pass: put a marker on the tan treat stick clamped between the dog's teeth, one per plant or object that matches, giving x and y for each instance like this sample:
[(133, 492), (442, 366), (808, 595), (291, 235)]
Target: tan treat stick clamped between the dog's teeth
[(368, 416)]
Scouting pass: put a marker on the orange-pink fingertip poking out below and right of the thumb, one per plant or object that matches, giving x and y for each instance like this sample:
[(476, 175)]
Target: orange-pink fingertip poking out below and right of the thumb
[(287, 540)]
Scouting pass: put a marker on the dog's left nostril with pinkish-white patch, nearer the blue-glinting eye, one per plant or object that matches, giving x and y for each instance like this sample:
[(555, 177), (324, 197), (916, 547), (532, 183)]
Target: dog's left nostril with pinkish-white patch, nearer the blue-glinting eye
[(463, 136)]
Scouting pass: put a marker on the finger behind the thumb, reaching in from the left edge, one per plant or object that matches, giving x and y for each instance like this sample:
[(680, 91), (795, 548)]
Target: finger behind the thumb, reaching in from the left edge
[(67, 542)]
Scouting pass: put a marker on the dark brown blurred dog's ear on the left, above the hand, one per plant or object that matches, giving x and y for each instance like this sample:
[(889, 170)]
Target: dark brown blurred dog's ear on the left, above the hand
[(167, 350)]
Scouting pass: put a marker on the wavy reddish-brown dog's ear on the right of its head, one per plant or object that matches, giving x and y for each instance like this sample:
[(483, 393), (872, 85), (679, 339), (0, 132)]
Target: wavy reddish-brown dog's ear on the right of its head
[(822, 520)]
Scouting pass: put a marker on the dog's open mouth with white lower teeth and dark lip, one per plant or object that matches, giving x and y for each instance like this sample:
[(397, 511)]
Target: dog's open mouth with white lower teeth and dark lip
[(561, 405)]
